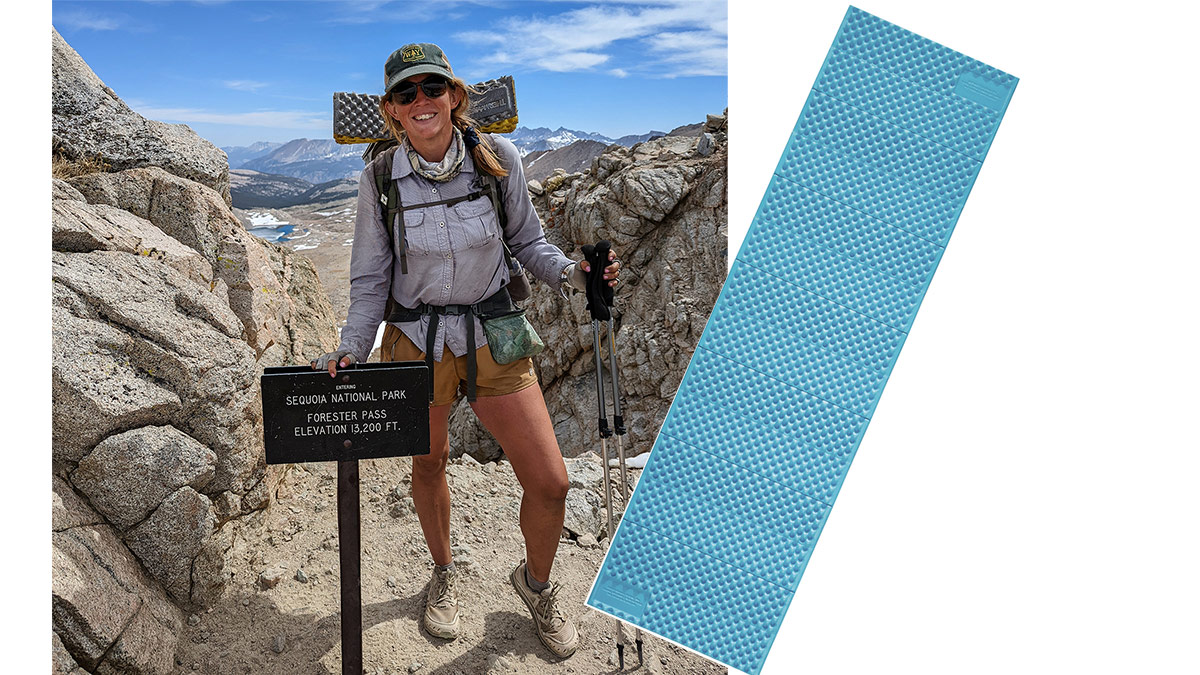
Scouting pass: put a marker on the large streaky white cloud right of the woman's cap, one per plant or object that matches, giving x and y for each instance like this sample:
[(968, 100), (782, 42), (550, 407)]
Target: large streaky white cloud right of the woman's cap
[(590, 37)]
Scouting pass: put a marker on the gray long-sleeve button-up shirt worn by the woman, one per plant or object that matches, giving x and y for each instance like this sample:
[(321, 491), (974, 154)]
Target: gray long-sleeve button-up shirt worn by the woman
[(455, 254)]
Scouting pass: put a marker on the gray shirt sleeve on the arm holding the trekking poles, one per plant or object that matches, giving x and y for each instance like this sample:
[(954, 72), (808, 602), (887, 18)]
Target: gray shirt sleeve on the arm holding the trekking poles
[(524, 232)]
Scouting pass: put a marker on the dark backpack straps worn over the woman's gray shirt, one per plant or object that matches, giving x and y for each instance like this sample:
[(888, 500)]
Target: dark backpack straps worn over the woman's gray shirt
[(389, 200)]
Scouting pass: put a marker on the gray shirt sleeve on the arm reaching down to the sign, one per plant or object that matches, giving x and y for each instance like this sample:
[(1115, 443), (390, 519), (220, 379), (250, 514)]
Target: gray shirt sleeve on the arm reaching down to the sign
[(371, 259)]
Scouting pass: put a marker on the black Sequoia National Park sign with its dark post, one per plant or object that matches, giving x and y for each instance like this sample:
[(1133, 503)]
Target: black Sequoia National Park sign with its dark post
[(368, 411)]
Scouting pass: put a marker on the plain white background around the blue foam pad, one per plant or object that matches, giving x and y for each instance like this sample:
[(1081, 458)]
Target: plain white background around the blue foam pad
[(1025, 499)]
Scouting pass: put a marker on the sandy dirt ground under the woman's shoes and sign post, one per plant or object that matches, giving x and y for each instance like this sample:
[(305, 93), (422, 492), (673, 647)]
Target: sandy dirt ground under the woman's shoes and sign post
[(295, 628)]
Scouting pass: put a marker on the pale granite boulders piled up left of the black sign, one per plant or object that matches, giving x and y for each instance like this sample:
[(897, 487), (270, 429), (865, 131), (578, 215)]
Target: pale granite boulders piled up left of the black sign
[(165, 312)]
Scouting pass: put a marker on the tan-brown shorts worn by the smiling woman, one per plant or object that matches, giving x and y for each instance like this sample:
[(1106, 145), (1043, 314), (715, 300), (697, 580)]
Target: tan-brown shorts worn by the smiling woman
[(451, 374)]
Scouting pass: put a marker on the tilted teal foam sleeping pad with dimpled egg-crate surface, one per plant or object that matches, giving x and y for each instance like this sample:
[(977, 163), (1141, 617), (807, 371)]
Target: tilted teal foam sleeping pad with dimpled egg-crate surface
[(801, 343)]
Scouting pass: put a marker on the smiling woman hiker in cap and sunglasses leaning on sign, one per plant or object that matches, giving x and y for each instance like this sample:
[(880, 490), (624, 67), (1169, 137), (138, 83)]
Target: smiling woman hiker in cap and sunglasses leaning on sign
[(453, 261)]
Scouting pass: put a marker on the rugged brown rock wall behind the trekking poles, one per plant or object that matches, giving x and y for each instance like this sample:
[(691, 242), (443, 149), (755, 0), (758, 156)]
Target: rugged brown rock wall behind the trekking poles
[(664, 207)]
